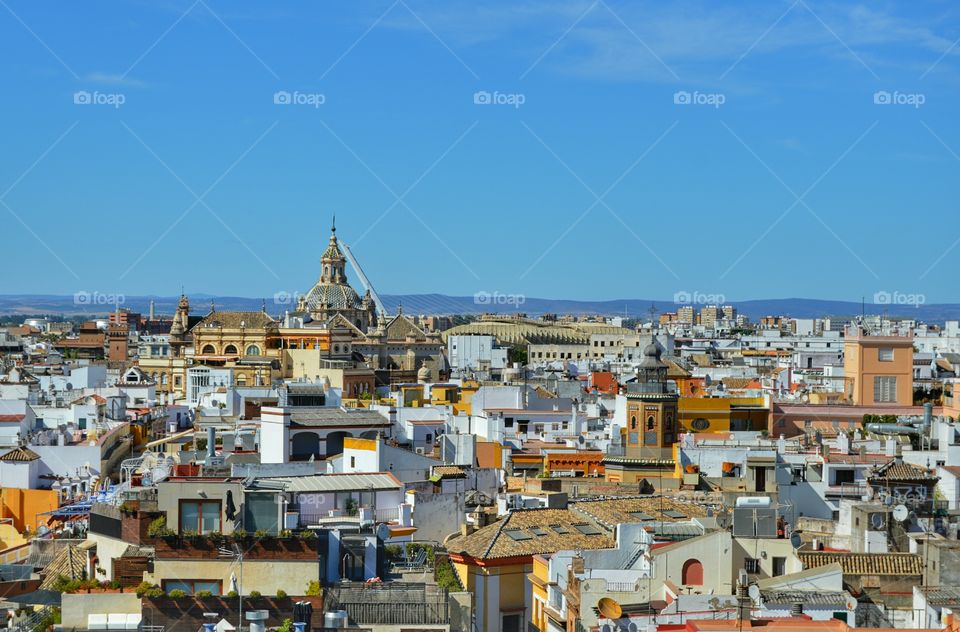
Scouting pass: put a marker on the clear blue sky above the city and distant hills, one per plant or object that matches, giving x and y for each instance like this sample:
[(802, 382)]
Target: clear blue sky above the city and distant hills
[(781, 177)]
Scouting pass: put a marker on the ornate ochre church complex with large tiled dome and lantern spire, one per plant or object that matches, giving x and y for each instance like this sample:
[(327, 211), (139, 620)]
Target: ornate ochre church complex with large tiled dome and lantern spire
[(332, 329)]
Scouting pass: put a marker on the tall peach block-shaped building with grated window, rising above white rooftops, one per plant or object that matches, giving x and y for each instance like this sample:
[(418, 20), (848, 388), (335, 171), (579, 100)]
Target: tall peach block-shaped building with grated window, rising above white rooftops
[(878, 370)]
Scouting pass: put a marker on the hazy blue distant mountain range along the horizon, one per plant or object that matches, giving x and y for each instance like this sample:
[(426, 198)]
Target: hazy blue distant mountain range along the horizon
[(92, 304)]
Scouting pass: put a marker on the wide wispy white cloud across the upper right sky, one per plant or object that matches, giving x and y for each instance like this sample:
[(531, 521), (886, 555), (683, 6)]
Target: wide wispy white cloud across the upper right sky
[(695, 37)]
